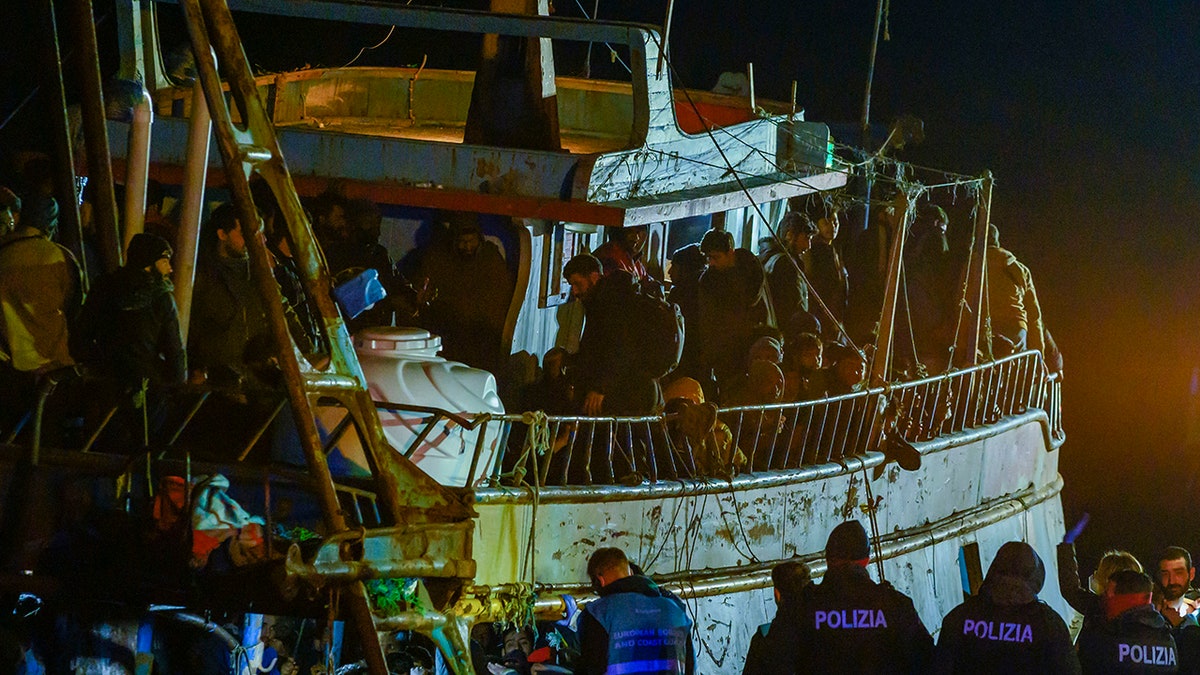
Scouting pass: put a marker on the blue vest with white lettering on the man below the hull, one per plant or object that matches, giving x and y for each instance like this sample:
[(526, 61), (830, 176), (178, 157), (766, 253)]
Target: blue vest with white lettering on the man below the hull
[(646, 635)]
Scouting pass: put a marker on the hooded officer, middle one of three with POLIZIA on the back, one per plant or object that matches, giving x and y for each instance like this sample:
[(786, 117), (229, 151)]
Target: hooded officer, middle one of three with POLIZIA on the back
[(1006, 629)]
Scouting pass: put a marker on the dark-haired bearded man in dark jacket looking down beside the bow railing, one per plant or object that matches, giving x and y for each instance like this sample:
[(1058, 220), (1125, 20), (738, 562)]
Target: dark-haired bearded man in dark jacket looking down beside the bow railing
[(608, 380)]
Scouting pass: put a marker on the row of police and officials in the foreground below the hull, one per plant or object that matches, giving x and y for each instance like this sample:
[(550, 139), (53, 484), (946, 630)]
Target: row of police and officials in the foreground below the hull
[(850, 623)]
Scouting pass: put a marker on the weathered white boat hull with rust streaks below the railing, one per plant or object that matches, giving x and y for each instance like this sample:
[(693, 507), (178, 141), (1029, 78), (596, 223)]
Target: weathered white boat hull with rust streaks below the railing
[(715, 542)]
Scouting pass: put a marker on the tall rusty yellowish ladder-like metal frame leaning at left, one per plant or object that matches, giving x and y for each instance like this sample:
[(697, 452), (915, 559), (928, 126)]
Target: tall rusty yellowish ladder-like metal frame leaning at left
[(430, 531)]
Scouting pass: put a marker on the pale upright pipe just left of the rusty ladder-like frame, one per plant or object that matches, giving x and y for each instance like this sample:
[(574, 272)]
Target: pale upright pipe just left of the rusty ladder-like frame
[(200, 136)]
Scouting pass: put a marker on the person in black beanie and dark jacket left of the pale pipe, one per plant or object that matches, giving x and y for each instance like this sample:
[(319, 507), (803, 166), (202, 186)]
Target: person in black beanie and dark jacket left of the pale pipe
[(129, 328)]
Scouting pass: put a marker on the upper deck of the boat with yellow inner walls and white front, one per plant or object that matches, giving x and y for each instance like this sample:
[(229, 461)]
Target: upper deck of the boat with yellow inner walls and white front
[(633, 153)]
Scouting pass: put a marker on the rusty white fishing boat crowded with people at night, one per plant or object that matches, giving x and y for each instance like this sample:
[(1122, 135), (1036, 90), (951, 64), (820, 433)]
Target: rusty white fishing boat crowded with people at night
[(506, 535)]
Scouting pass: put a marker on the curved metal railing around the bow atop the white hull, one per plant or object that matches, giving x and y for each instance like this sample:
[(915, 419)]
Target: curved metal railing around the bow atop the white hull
[(562, 451)]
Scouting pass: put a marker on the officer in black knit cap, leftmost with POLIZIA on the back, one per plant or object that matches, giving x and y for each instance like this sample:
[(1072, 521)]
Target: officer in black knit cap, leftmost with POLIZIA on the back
[(849, 624)]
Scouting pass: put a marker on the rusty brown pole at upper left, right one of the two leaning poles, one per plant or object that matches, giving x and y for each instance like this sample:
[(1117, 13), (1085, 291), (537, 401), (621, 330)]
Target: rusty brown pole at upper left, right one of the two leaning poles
[(100, 165)]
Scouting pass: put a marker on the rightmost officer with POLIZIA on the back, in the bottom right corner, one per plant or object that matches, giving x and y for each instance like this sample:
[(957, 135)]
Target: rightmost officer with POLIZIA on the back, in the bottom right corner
[(1136, 638)]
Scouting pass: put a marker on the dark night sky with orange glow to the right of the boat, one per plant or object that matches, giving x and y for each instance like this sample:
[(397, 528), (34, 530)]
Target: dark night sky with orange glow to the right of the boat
[(1088, 114)]
